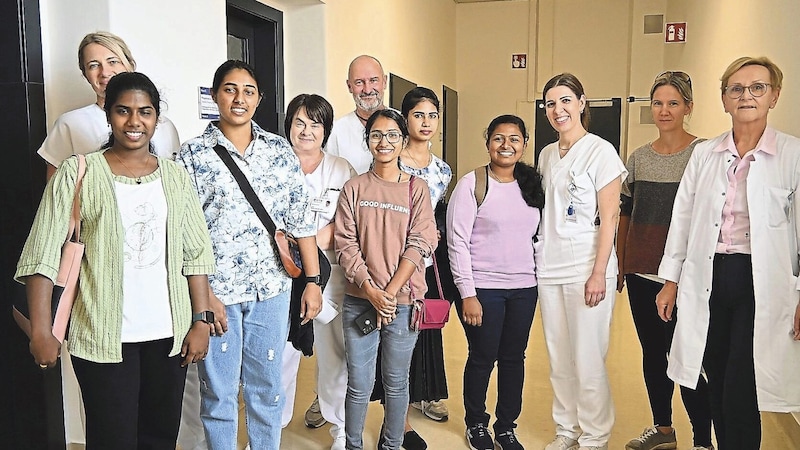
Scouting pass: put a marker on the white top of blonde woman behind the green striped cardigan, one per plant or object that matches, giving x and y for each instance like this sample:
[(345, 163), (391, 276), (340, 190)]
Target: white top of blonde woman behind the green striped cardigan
[(85, 130)]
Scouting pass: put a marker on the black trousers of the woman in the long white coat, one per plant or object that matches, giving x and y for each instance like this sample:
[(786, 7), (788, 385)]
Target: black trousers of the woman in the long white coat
[(728, 359)]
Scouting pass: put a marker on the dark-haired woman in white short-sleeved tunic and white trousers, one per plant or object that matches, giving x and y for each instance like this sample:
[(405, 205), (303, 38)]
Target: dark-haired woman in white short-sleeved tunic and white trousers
[(577, 267)]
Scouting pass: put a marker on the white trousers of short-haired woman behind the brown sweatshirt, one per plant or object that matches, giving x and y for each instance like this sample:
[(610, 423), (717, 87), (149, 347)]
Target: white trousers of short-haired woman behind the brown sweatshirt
[(331, 362)]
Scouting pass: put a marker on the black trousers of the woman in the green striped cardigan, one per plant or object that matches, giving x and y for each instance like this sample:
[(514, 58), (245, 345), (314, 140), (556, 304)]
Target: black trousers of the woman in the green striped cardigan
[(135, 404)]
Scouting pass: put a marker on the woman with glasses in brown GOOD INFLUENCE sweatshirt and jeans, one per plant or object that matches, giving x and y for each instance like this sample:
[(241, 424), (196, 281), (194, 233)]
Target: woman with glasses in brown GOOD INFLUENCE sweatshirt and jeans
[(384, 229)]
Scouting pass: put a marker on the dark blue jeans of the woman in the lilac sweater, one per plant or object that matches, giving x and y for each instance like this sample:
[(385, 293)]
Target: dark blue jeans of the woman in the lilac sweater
[(502, 338)]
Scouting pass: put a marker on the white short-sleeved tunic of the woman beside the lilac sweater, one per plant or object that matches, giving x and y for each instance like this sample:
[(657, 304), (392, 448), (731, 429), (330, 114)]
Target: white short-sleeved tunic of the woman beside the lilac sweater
[(570, 221)]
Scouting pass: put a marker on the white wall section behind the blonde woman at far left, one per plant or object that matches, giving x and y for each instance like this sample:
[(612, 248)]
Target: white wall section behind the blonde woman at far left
[(177, 43)]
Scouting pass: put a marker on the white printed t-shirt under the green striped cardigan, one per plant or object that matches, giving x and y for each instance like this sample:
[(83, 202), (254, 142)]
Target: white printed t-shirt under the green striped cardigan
[(146, 313)]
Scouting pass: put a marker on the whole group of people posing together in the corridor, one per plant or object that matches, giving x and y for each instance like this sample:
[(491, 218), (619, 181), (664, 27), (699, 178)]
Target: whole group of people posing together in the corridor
[(181, 271)]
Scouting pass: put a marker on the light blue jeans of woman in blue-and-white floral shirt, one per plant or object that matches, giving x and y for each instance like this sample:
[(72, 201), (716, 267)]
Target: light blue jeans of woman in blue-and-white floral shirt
[(250, 353)]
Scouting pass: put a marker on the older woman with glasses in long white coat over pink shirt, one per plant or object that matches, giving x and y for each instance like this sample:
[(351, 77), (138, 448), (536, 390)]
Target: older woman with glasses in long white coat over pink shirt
[(731, 262)]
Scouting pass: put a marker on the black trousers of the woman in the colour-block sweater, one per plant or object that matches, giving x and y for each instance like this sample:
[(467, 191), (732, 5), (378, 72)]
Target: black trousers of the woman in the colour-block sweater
[(655, 335)]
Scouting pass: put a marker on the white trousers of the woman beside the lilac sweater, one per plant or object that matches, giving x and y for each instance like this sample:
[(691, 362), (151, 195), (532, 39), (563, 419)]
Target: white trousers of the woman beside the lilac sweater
[(577, 342)]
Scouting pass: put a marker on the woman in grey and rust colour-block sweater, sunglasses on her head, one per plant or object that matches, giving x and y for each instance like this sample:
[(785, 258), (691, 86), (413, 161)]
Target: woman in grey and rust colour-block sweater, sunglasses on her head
[(654, 171)]
